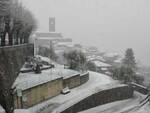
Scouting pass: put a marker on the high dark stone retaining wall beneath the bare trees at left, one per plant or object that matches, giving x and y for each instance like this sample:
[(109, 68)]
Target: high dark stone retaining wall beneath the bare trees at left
[(12, 59)]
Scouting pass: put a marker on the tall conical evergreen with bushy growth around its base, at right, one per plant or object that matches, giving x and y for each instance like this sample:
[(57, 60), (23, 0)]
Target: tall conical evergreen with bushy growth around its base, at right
[(127, 72)]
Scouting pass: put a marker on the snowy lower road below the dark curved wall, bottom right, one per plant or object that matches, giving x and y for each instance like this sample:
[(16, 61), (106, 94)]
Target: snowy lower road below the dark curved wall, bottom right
[(126, 106)]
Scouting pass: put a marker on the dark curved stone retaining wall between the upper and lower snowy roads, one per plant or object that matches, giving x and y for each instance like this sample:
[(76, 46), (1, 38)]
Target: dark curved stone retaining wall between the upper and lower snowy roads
[(102, 97)]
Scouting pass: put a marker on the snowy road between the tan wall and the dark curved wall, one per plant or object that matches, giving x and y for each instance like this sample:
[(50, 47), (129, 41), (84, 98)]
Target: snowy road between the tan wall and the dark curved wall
[(61, 102)]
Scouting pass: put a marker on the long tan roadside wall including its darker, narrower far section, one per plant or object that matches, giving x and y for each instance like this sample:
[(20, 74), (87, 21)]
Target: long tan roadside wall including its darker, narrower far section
[(46, 91)]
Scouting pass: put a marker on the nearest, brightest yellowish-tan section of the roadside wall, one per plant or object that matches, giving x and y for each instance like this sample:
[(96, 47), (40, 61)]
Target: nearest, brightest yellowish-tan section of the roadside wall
[(38, 94)]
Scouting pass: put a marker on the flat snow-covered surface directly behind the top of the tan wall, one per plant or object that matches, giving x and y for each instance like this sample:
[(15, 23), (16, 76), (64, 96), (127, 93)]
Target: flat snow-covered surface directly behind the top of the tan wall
[(27, 80)]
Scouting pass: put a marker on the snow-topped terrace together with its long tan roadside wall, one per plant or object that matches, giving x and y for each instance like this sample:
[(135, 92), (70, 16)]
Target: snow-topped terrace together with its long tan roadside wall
[(31, 88)]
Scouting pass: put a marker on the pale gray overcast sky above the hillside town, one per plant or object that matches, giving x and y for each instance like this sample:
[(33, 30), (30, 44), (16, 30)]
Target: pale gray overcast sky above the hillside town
[(111, 25)]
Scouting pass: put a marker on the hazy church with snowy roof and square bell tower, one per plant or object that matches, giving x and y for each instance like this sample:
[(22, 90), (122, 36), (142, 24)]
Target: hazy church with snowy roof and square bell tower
[(44, 39)]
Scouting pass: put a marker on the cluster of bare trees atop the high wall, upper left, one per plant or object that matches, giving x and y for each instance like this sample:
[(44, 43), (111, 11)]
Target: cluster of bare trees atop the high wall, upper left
[(16, 21)]
